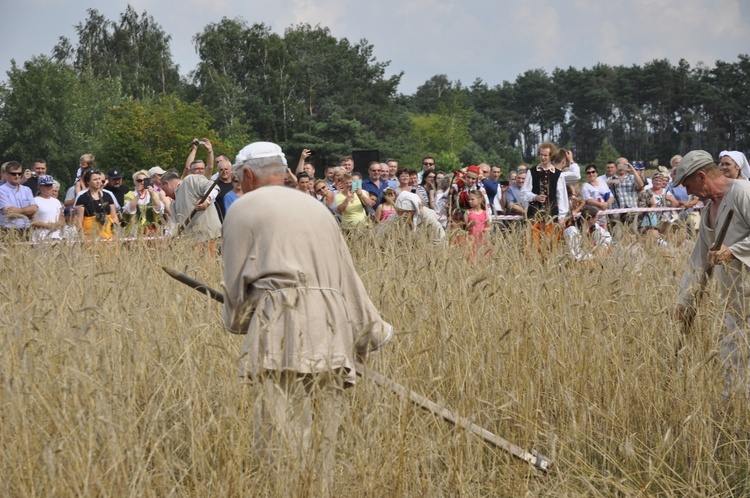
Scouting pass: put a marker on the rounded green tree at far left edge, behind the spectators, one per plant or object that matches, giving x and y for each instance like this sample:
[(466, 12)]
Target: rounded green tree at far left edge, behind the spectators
[(48, 111)]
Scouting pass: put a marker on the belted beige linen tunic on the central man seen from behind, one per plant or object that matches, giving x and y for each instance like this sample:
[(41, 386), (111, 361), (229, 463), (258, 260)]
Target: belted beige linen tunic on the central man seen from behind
[(284, 258)]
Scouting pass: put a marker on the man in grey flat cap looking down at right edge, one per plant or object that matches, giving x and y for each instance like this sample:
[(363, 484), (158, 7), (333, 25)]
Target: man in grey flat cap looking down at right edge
[(702, 177)]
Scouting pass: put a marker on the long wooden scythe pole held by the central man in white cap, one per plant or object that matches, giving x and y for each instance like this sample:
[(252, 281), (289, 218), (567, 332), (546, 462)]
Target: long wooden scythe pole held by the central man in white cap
[(534, 458)]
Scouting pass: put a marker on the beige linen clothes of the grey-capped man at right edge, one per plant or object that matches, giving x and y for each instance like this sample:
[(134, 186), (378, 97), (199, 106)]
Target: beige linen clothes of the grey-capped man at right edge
[(733, 278)]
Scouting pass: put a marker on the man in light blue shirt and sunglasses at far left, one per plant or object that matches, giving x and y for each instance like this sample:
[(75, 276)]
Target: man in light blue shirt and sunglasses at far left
[(17, 203)]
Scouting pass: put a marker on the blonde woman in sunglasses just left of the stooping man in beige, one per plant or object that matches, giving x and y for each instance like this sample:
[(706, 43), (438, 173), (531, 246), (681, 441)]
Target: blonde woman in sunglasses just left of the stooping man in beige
[(143, 209)]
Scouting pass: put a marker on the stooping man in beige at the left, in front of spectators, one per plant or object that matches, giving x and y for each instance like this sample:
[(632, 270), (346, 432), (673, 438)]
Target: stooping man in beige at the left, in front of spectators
[(186, 194)]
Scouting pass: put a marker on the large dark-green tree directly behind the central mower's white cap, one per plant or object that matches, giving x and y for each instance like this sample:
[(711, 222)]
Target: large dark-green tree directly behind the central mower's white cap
[(305, 88)]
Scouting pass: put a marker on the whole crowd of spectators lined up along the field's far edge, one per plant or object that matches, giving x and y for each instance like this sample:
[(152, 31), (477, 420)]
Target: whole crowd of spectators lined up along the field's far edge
[(553, 196)]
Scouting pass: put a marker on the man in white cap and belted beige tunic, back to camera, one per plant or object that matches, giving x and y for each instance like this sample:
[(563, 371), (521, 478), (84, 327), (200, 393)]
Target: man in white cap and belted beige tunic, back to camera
[(292, 288)]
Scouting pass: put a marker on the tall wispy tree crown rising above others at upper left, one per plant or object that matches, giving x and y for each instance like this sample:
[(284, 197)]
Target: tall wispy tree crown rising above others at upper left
[(134, 50)]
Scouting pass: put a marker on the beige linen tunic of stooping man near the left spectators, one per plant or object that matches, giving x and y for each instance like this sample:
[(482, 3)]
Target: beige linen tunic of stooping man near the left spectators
[(205, 224)]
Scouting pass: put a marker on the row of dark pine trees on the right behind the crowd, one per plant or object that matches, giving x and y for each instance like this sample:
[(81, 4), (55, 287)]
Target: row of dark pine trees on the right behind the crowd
[(650, 111)]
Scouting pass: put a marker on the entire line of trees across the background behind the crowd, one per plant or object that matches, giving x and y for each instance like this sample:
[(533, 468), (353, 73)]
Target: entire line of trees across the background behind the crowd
[(116, 92)]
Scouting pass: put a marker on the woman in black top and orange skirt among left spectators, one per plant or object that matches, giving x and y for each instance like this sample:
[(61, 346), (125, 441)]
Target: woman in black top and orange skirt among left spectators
[(95, 208)]
